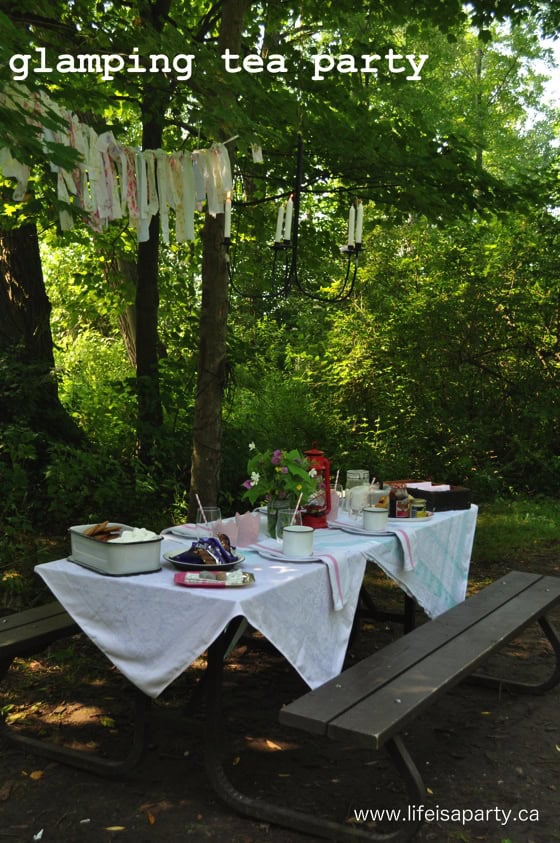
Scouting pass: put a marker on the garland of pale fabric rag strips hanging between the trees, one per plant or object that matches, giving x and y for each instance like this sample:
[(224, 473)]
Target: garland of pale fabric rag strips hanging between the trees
[(113, 181)]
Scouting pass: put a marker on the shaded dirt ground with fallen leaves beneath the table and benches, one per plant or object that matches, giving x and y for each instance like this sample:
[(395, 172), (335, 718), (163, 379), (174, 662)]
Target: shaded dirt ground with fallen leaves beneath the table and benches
[(479, 752)]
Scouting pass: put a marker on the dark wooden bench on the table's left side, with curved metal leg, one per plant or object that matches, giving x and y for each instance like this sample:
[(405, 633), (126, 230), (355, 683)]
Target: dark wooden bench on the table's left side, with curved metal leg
[(31, 631)]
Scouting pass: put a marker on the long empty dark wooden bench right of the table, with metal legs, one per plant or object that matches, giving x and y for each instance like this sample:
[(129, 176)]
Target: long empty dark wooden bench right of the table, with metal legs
[(371, 703)]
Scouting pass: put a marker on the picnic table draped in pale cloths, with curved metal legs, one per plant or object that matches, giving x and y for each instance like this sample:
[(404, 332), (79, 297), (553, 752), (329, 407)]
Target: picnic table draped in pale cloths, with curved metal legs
[(152, 629)]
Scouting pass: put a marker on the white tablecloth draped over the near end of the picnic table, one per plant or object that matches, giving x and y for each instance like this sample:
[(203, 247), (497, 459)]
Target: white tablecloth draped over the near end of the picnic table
[(152, 629)]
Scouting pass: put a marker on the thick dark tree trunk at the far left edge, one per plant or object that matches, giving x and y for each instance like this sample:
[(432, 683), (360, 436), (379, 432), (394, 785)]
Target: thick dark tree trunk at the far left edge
[(26, 339)]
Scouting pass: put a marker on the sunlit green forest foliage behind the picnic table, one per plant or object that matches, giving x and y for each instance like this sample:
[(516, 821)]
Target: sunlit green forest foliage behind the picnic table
[(444, 361)]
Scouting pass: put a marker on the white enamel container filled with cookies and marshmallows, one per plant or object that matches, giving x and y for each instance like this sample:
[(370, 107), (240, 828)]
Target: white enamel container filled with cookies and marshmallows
[(113, 558)]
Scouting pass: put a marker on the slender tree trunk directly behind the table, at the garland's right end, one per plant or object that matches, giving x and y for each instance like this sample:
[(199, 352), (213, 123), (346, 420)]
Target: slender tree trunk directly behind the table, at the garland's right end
[(207, 427)]
